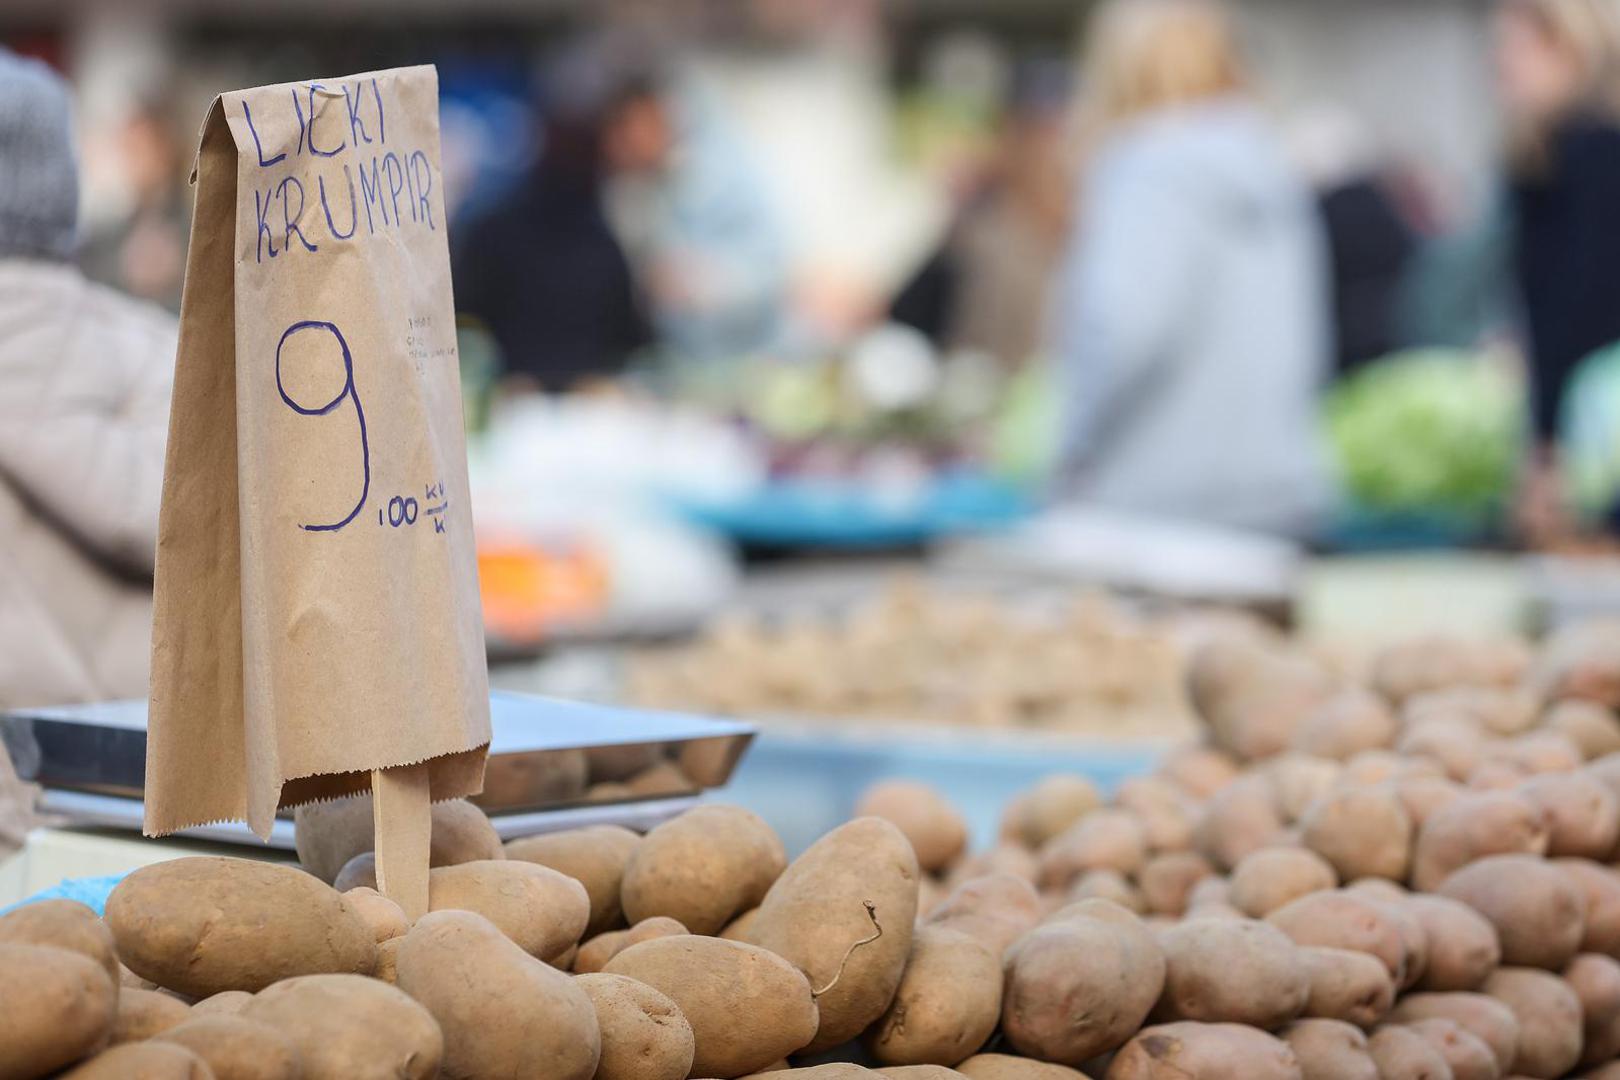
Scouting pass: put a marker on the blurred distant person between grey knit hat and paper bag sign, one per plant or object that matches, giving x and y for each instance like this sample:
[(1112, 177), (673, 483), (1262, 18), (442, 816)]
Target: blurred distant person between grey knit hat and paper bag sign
[(145, 250)]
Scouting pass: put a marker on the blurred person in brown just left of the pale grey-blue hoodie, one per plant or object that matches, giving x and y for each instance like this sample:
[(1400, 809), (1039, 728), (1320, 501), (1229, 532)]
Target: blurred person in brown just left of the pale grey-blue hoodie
[(986, 289)]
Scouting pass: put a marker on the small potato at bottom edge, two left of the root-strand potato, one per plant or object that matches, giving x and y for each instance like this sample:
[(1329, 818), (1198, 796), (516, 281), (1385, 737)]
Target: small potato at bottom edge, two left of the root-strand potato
[(644, 1034)]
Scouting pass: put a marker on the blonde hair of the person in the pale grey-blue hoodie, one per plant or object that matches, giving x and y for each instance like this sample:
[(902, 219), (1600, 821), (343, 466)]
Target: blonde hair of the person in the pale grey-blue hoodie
[(1143, 56)]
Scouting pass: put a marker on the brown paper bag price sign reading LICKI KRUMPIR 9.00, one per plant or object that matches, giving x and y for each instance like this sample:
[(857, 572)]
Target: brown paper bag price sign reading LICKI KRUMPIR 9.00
[(317, 602)]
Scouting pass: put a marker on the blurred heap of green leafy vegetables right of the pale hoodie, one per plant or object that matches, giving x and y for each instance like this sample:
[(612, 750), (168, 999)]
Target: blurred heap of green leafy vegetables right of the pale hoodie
[(1431, 435)]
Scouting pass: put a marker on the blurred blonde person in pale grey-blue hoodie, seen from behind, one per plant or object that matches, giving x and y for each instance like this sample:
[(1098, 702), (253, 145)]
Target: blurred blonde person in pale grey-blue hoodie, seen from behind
[(1192, 317)]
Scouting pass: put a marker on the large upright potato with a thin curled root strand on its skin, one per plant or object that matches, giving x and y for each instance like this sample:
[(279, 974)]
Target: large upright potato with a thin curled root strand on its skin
[(843, 912)]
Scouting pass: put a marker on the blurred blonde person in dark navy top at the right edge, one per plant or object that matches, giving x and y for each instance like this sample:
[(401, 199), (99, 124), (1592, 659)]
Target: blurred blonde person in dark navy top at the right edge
[(1559, 82)]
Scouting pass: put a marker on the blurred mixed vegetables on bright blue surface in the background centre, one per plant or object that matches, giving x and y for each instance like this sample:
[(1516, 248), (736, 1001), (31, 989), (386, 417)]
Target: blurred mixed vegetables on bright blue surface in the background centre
[(885, 443)]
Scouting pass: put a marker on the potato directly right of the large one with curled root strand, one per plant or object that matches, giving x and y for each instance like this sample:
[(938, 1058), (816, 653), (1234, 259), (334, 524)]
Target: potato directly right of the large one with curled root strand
[(947, 1006)]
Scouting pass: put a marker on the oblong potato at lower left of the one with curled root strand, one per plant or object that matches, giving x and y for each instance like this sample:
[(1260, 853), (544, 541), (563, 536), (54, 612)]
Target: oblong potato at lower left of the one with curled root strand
[(748, 1006)]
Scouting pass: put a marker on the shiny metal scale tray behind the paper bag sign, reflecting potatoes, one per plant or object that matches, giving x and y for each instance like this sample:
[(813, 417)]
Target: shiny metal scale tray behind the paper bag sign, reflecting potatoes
[(553, 765)]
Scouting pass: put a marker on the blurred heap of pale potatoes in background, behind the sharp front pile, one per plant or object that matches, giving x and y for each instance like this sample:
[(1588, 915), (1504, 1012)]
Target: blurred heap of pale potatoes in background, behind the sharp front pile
[(931, 657)]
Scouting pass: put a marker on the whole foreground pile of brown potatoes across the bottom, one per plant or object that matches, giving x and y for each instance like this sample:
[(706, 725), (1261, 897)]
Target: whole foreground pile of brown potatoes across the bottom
[(1400, 877)]
